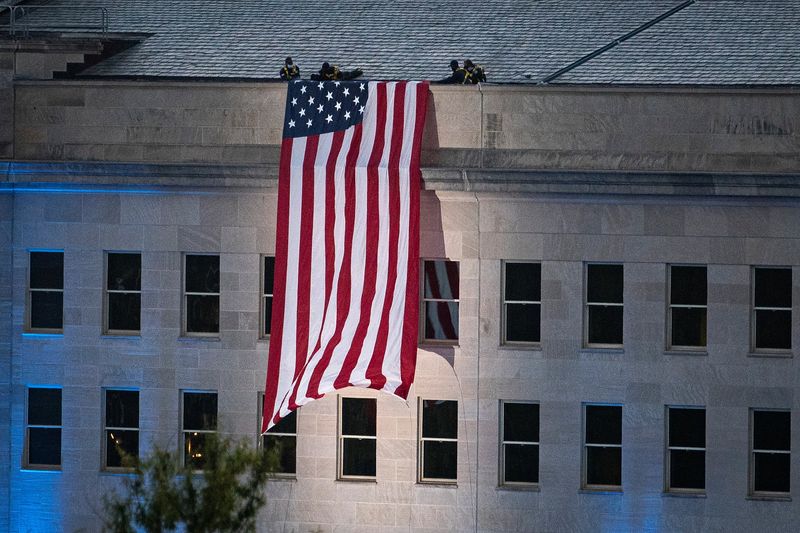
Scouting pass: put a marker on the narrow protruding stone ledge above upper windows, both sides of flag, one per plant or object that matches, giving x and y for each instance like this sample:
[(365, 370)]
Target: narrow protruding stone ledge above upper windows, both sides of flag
[(453, 179)]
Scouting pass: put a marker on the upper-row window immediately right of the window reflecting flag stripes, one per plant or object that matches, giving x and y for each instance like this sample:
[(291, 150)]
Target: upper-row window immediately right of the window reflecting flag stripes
[(522, 302)]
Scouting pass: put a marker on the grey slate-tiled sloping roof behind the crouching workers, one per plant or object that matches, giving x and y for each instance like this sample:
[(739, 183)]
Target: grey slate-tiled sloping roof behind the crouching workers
[(713, 42)]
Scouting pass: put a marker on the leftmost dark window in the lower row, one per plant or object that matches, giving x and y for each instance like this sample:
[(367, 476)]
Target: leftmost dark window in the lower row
[(43, 428)]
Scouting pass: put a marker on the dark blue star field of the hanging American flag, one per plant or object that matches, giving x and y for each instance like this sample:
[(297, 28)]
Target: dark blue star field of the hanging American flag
[(313, 108)]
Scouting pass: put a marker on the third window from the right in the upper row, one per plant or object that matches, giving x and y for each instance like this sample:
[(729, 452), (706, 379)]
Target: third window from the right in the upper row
[(603, 311)]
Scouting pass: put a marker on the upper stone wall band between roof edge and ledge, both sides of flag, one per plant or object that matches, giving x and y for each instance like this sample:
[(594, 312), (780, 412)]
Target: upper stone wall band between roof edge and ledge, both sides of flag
[(496, 127)]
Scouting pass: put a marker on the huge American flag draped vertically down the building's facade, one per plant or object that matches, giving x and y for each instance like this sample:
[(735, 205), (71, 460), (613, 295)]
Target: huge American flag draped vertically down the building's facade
[(345, 304)]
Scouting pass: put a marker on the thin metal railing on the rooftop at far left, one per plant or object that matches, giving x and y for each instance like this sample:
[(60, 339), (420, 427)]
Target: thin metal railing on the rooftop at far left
[(21, 20)]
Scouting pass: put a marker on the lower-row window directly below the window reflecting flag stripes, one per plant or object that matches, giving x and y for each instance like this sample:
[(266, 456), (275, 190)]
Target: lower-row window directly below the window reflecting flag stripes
[(438, 442)]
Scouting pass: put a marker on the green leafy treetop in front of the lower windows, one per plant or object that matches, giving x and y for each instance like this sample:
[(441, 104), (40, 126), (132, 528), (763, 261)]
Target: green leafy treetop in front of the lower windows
[(223, 497)]
